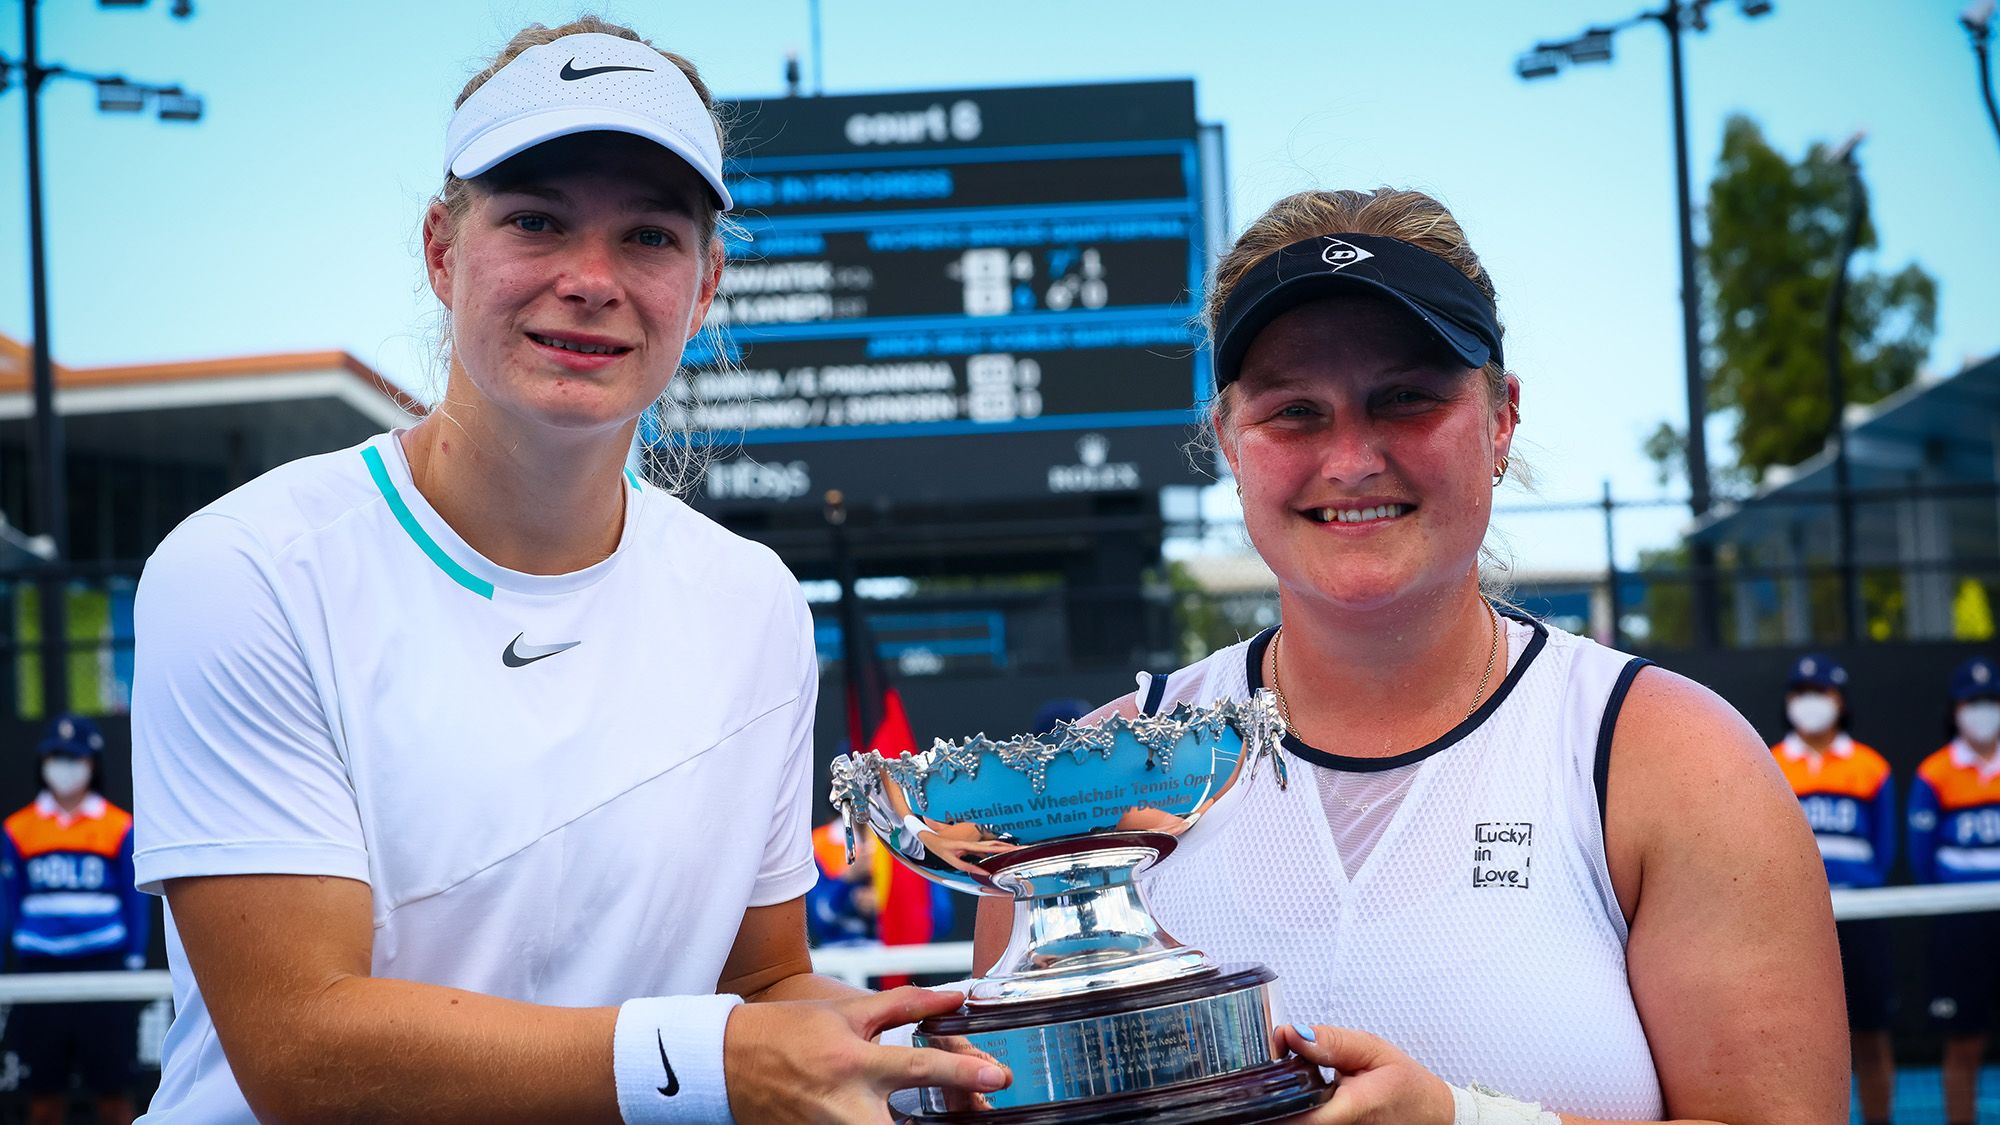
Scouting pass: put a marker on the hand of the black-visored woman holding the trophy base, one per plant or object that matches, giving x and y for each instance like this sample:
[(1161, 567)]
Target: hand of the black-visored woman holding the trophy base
[(1377, 1084)]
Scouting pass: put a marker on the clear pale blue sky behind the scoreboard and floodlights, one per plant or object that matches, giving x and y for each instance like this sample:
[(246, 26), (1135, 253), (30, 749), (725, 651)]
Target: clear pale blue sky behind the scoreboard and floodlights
[(285, 221)]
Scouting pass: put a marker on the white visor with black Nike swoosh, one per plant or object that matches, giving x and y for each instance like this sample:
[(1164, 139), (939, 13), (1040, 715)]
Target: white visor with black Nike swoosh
[(585, 83)]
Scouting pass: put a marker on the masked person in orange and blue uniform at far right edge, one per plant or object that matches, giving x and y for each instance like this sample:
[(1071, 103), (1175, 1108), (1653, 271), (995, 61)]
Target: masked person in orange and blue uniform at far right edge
[(1955, 838)]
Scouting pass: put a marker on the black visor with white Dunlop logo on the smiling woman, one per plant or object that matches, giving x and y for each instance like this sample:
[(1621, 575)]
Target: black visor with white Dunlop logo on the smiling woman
[(1443, 299)]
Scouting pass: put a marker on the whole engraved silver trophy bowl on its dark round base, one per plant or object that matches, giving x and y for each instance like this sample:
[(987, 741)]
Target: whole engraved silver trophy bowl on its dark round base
[(1101, 1016)]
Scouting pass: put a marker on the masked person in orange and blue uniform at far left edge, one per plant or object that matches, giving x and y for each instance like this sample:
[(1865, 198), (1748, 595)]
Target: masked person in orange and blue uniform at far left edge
[(71, 906)]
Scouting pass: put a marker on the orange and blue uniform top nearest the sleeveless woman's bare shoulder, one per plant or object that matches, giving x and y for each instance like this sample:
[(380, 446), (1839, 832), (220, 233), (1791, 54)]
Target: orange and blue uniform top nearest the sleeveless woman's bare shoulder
[(1849, 798)]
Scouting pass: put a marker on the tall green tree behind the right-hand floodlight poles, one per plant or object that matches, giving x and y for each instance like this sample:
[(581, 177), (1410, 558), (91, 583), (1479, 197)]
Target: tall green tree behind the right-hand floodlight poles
[(1773, 249)]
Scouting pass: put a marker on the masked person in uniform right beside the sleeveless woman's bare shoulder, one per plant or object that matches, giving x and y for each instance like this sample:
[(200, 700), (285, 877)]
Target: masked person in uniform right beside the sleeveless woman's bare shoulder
[(1849, 798)]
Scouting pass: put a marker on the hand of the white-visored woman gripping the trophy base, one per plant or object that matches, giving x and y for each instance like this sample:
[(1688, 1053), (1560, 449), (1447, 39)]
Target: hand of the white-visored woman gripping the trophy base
[(815, 1062)]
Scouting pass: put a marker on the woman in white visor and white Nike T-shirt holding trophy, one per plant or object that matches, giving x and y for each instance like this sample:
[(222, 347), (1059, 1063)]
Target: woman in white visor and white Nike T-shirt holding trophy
[(455, 744)]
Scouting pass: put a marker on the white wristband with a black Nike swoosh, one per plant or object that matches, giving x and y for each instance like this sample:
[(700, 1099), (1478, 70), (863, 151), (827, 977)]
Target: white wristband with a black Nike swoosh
[(667, 1056)]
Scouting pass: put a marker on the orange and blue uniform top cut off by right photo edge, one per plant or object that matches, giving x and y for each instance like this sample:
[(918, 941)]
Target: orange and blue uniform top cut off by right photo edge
[(1955, 818)]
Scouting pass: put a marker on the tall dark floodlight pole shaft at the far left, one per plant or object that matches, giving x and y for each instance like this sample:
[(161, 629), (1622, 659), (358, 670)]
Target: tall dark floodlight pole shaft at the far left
[(47, 433)]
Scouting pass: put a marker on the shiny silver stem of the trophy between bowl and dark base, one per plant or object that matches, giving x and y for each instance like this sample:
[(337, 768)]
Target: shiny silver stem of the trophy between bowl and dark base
[(1081, 924)]
